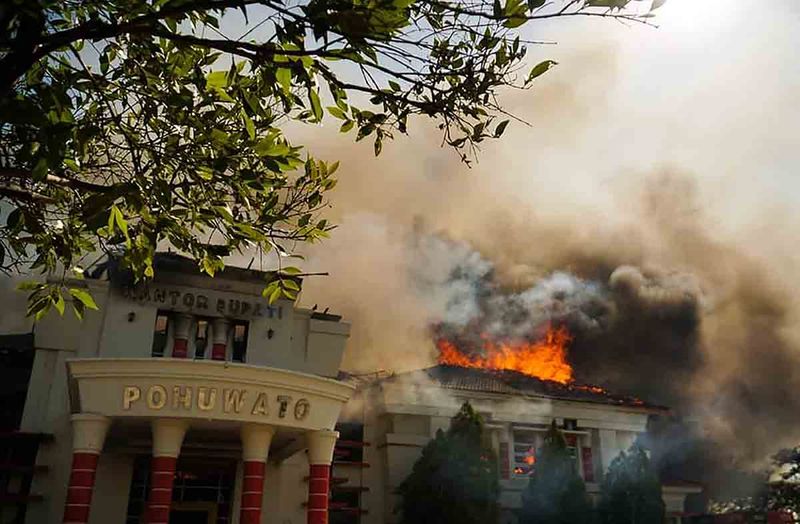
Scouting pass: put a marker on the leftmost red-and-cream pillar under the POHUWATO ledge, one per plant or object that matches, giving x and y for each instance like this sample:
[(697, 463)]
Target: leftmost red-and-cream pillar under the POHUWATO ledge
[(88, 434)]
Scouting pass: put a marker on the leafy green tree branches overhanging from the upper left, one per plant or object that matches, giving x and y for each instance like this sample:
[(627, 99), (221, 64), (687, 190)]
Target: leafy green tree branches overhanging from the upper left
[(127, 125)]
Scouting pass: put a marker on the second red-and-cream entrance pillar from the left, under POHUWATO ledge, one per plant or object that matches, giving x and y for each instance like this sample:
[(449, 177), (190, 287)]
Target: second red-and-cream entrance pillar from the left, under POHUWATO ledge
[(167, 441)]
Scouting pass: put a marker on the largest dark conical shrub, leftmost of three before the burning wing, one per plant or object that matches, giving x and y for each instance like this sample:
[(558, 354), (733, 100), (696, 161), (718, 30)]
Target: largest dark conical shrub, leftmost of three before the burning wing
[(455, 479)]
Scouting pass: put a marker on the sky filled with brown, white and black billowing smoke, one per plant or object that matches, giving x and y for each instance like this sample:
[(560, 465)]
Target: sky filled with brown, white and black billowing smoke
[(656, 183)]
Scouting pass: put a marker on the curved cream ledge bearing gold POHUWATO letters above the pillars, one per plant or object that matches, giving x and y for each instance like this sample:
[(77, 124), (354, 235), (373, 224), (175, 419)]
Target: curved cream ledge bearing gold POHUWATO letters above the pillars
[(146, 388)]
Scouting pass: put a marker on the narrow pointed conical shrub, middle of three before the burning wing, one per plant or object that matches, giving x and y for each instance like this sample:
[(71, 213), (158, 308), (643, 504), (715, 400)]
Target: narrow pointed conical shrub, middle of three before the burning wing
[(555, 493)]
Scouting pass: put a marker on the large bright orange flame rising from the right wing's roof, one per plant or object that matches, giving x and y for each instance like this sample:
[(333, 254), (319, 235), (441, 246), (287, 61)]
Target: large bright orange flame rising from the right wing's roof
[(545, 359)]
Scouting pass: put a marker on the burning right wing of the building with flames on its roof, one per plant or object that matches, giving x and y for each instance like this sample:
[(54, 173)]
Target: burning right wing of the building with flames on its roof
[(519, 388)]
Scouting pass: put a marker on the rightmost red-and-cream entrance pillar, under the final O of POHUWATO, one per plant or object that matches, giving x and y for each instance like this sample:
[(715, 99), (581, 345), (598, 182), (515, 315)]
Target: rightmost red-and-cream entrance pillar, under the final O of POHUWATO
[(320, 454)]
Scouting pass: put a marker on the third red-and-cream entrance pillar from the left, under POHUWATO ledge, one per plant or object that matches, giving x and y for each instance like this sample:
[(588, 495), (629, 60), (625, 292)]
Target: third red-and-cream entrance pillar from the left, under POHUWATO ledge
[(256, 439)]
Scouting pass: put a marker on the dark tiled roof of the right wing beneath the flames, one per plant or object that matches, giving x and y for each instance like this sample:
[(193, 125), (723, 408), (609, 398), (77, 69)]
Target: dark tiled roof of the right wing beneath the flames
[(518, 384)]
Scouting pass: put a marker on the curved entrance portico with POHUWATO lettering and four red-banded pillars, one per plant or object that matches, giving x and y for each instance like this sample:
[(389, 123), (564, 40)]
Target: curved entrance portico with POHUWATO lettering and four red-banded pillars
[(173, 396)]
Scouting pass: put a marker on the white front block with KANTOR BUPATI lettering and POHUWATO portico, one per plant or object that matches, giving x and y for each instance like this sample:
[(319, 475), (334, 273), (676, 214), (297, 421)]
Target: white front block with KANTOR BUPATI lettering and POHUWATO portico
[(187, 401)]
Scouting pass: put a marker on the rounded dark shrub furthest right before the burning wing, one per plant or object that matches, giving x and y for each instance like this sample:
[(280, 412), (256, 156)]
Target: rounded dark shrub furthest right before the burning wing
[(631, 491)]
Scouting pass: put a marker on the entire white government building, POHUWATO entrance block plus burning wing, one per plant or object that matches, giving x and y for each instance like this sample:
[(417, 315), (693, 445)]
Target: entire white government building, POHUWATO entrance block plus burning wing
[(193, 401)]
